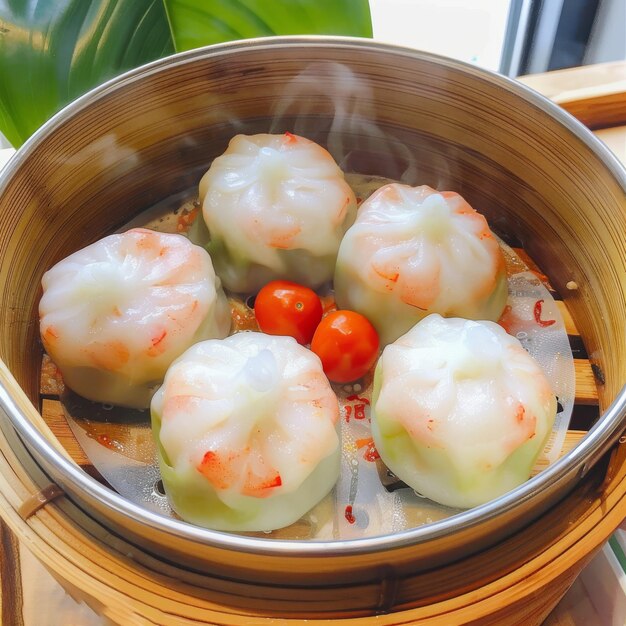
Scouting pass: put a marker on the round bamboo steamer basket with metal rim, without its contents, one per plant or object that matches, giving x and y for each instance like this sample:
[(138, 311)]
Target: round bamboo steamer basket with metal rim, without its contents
[(537, 174)]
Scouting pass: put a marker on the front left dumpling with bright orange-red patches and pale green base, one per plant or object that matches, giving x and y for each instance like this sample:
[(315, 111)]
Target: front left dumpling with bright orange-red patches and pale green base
[(247, 433)]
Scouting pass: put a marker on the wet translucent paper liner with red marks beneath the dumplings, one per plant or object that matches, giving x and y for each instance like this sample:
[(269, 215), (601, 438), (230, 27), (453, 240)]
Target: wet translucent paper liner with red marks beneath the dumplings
[(367, 499)]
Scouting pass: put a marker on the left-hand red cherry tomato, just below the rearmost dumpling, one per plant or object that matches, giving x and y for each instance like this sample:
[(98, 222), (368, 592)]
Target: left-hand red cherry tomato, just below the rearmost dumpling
[(285, 308)]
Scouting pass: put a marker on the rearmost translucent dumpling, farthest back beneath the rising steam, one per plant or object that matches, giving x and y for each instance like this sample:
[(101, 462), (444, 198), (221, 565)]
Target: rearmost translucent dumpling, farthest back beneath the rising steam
[(276, 206)]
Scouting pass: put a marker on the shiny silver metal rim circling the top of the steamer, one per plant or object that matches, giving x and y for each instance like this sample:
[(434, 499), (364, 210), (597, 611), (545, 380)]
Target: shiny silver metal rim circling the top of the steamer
[(599, 439)]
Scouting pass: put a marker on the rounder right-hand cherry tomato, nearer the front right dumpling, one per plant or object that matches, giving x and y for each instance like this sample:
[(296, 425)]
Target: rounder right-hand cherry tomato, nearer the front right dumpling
[(347, 344)]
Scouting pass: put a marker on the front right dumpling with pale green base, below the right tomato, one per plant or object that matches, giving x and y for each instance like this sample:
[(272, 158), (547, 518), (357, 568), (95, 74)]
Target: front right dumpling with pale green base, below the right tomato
[(460, 411)]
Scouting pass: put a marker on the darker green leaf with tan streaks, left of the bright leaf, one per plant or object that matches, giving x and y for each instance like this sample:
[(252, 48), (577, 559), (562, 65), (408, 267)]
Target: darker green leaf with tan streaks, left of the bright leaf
[(52, 51)]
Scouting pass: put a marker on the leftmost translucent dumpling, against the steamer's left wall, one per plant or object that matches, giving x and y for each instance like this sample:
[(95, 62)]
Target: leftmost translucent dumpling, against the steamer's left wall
[(114, 315)]
